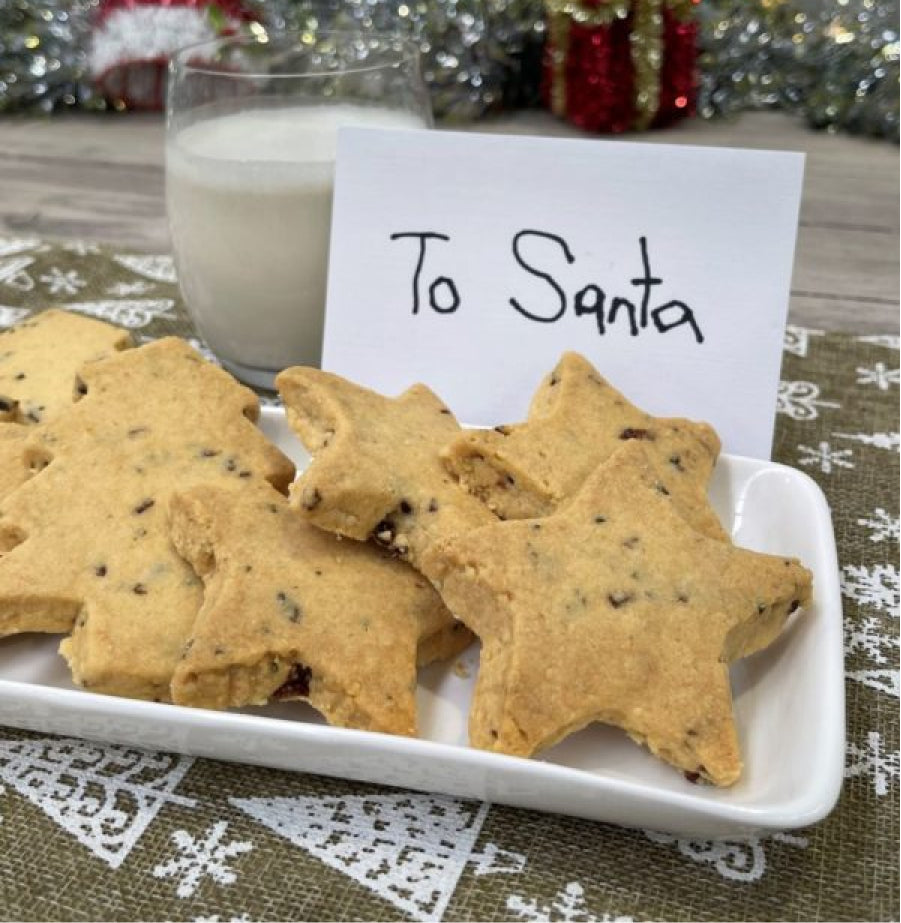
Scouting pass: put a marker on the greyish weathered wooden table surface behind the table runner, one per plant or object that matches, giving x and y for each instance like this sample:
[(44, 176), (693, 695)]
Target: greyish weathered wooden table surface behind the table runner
[(101, 178)]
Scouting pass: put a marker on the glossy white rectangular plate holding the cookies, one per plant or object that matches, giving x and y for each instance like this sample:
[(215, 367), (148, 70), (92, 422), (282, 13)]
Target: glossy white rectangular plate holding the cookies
[(789, 705)]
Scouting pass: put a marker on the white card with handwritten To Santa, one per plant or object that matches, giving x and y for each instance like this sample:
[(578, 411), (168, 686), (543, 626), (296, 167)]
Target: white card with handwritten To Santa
[(668, 267)]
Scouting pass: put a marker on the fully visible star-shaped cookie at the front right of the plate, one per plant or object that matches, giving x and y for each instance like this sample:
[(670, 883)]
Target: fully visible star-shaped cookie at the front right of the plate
[(614, 609)]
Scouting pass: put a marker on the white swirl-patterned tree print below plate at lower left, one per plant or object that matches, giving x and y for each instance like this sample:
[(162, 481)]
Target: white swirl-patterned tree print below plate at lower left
[(102, 794)]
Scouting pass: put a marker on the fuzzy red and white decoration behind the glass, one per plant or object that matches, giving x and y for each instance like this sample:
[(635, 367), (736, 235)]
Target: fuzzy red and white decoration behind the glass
[(133, 40)]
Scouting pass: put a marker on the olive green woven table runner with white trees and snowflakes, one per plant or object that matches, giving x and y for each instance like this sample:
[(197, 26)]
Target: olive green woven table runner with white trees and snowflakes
[(95, 831)]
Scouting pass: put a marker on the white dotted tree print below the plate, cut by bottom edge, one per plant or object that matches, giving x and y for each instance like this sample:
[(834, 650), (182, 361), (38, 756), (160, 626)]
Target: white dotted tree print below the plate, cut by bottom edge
[(410, 849)]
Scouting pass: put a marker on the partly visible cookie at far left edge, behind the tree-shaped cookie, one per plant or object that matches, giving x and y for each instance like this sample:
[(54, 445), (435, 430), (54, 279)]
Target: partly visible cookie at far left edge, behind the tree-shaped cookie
[(39, 361)]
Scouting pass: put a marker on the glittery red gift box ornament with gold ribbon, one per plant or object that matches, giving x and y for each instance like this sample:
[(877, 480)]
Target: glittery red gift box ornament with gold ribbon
[(620, 65)]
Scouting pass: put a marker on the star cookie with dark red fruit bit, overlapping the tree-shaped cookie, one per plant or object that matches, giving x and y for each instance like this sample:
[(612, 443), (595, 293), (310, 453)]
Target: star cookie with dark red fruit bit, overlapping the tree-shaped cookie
[(292, 612)]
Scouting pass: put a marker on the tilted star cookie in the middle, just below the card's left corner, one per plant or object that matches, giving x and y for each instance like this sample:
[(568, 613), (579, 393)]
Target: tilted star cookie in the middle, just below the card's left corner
[(376, 471)]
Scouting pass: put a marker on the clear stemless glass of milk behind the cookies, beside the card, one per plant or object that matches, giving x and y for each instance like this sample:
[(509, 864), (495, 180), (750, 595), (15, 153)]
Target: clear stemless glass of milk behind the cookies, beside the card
[(252, 128)]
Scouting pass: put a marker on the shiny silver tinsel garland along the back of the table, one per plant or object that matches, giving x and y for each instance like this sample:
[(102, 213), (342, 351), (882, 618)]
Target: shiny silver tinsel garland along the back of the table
[(836, 62)]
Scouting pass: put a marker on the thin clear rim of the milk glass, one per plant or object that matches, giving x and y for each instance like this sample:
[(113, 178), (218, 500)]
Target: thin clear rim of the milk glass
[(178, 60)]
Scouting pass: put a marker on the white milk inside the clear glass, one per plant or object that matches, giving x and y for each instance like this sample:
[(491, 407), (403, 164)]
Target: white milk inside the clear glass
[(249, 199)]
